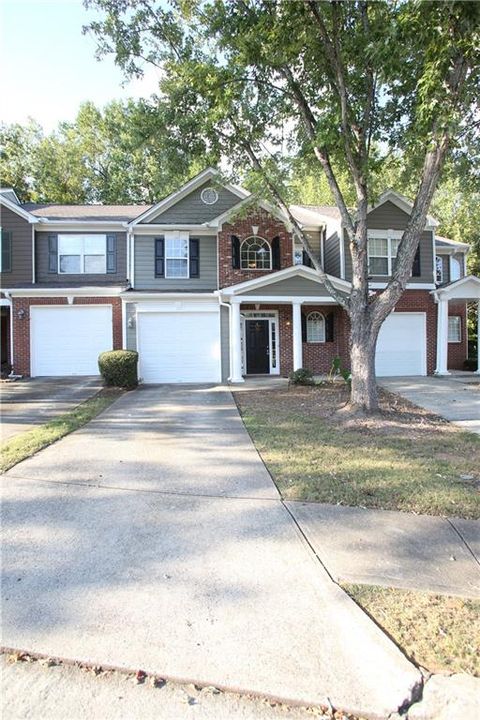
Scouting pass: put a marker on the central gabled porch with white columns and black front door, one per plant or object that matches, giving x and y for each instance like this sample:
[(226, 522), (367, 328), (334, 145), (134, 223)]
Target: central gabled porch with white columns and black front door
[(283, 322)]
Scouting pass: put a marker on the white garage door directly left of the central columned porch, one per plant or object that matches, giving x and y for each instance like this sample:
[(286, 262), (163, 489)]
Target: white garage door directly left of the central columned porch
[(179, 347)]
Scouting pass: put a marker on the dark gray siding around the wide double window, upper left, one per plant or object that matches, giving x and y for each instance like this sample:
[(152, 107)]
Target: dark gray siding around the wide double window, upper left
[(43, 276)]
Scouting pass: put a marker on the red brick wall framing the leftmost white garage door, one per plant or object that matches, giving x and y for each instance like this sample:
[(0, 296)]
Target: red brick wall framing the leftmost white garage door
[(21, 325)]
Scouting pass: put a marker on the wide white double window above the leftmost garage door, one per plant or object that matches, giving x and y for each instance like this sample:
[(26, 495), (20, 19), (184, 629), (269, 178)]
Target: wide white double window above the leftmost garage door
[(82, 254)]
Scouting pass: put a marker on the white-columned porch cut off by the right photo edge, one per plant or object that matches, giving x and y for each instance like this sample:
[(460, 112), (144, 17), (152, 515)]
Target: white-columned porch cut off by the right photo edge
[(466, 290)]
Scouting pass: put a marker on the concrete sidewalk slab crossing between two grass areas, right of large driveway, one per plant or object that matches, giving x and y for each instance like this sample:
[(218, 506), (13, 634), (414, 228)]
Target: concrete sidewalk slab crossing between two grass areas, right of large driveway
[(380, 547)]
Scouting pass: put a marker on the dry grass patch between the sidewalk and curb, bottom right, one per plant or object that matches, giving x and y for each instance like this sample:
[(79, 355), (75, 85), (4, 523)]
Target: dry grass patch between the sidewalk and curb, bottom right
[(437, 632)]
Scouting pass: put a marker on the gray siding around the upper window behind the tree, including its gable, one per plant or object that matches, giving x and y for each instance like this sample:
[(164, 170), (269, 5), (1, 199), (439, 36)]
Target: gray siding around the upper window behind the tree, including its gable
[(389, 217)]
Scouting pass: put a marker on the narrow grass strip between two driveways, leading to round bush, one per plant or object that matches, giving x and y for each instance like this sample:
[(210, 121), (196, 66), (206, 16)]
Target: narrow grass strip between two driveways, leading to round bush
[(28, 443)]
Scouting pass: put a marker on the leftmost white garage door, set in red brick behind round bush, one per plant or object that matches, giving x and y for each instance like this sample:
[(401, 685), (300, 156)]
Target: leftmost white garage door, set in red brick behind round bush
[(67, 340)]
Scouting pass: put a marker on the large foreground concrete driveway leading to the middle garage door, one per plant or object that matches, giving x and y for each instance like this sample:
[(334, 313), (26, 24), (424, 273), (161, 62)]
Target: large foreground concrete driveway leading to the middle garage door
[(154, 538)]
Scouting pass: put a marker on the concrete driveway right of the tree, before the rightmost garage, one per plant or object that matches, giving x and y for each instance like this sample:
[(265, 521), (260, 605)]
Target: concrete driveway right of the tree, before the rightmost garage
[(454, 397)]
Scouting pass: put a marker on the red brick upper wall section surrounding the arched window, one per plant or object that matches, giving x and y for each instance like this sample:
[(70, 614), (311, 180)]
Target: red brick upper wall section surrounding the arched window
[(268, 228)]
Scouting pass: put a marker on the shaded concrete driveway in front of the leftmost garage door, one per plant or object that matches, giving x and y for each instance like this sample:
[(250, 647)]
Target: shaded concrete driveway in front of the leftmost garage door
[(26, 403)]
